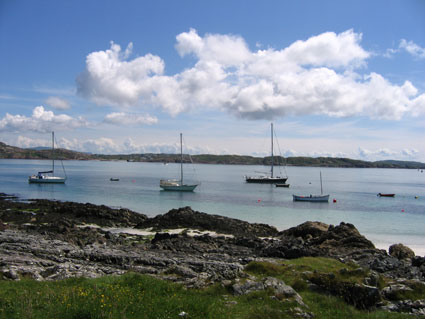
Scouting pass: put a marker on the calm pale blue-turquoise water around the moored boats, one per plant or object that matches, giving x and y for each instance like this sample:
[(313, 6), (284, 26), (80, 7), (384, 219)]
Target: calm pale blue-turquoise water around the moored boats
[(223, 191)]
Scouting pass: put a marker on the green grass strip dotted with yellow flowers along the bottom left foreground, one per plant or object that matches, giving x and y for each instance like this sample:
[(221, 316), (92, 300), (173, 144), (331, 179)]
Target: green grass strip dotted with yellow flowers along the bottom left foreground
[(129, 296)]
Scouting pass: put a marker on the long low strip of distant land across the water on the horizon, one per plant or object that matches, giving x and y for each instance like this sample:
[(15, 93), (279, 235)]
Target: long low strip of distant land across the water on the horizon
[(12, 152)]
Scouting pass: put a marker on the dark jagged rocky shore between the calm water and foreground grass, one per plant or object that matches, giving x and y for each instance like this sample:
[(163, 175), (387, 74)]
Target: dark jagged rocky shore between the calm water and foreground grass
[(52, 240)]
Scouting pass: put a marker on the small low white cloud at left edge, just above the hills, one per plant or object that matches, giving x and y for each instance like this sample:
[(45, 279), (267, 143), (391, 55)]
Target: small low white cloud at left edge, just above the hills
[(40, 121)]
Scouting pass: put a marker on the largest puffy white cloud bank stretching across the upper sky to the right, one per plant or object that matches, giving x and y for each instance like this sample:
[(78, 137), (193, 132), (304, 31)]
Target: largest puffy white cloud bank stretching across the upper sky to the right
[(318, 76)]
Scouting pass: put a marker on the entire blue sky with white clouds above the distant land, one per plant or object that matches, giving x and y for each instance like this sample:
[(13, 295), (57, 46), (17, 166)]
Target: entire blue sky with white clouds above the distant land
[(337, 78)]
